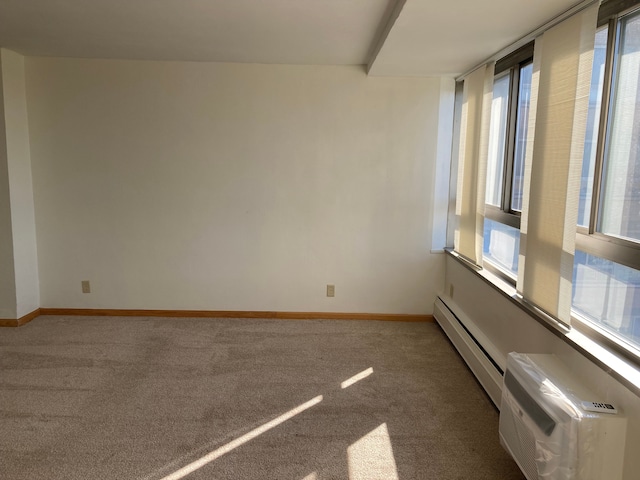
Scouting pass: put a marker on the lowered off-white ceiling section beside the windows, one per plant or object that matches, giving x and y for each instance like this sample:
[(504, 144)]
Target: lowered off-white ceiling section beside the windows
[(451, 37)]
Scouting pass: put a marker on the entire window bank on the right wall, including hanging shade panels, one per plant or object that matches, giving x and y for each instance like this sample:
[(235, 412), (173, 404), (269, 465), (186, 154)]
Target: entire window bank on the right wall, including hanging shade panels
[(582, 156)]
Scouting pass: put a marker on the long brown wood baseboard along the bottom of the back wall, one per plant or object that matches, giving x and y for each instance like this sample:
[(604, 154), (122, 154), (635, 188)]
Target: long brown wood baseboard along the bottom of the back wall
[(237, 314)]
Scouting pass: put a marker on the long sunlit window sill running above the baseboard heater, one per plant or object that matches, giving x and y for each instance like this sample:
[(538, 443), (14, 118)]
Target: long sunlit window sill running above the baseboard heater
[(626, 371)]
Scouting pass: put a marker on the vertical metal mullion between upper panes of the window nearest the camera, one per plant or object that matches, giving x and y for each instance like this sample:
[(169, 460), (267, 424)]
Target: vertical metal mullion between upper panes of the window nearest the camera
[(603, 126)]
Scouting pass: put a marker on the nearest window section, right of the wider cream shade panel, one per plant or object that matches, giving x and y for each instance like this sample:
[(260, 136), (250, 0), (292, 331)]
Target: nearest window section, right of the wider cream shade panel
[(606, 275)]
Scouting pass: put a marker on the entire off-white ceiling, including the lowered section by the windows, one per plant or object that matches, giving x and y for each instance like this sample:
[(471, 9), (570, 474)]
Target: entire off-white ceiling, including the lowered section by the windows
[(395, 37)]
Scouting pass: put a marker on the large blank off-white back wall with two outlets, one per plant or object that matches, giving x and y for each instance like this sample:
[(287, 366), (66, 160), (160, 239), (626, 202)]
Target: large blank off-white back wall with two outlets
[(233, 186)]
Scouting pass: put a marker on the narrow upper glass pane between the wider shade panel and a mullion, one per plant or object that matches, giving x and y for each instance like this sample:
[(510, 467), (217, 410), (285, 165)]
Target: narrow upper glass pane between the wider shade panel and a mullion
[(593, 119)]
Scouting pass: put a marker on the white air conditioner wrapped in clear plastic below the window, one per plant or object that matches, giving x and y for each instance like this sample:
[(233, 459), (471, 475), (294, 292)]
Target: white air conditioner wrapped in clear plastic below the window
[(548, 430)]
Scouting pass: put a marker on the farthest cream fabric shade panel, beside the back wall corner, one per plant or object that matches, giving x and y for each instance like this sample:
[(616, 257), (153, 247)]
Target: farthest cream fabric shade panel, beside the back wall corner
[(472, 165)]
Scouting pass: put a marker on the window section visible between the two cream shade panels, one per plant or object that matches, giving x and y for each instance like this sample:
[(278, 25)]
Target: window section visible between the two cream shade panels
[(508, 135)]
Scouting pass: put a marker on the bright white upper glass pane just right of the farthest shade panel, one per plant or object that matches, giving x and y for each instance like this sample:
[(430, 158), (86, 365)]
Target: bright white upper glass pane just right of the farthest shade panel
[(497, 140)]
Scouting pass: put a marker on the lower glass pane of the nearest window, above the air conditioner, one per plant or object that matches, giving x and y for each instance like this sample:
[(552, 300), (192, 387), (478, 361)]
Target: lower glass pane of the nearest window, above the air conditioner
[(608, 294)]
